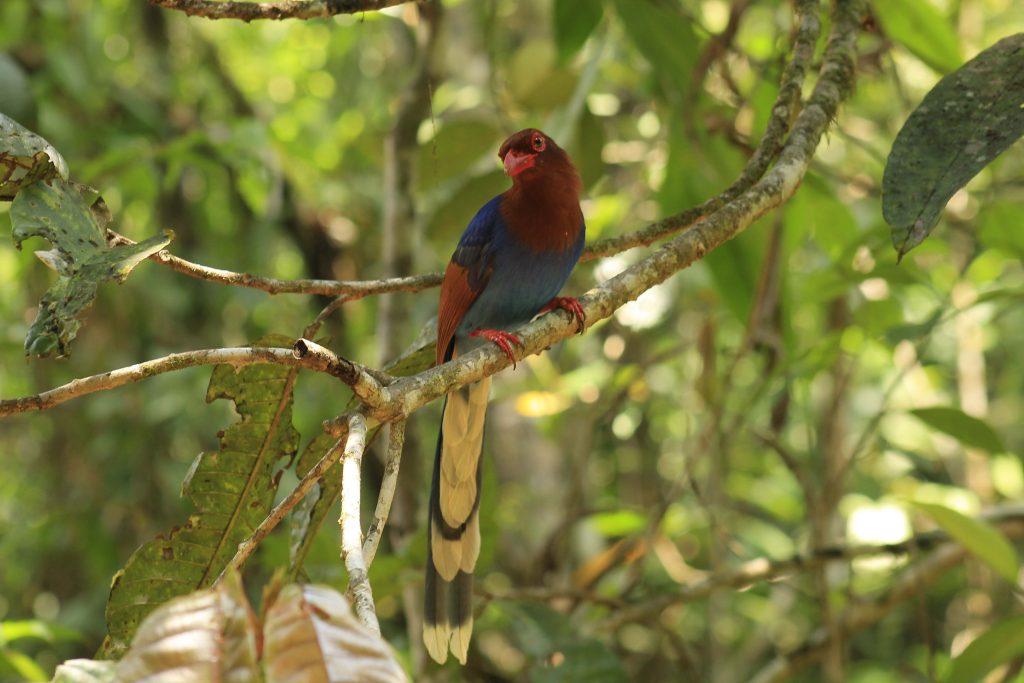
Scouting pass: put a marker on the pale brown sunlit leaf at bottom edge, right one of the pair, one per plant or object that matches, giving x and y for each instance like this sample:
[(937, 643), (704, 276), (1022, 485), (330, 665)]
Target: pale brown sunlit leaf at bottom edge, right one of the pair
[(312, 635)]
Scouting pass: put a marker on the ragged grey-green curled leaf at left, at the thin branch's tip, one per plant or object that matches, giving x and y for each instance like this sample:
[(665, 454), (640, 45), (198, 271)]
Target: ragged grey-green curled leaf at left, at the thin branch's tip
[(74, 220)]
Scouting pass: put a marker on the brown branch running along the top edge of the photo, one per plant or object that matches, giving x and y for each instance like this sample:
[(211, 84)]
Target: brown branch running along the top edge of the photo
[(282, 10)]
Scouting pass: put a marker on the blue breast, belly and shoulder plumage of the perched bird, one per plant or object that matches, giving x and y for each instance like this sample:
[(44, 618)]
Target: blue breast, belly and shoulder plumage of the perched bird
[(522, 281)]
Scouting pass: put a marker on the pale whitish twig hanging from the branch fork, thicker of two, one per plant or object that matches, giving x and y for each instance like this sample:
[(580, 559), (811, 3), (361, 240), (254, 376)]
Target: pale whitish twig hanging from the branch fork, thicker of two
[(352, 531)]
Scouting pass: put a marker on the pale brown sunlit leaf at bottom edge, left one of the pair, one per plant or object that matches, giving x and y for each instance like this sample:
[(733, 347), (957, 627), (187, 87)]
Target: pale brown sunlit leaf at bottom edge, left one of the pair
[(205, 636)]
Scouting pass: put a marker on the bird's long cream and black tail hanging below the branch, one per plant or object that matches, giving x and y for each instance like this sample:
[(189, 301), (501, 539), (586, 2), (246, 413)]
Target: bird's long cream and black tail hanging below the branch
[(454, 540)]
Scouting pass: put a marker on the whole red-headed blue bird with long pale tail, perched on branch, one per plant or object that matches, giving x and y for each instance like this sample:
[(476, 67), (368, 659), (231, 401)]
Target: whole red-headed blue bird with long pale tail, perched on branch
[(509, 266)]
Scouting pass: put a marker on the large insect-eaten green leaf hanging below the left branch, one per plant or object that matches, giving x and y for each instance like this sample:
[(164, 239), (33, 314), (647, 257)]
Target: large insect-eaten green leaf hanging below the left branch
[(232, 489)]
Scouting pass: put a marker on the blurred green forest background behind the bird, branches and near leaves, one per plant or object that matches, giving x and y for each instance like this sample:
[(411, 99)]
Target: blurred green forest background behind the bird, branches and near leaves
[(755, 406)]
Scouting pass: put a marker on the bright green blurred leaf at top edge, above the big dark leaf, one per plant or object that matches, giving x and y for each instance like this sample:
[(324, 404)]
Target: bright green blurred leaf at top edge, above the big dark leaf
[(922, 29)]
